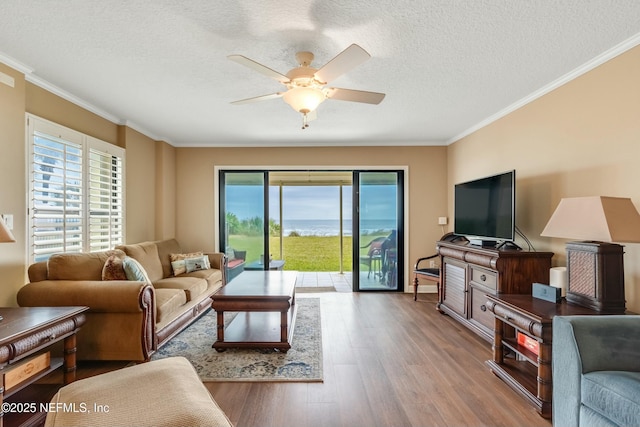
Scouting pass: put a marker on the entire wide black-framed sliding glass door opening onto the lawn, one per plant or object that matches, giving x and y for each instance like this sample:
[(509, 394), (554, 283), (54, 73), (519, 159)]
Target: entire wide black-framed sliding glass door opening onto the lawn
[(346, 222)]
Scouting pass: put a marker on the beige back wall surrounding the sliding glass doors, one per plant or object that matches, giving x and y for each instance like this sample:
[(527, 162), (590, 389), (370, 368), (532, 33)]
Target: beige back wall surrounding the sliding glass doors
[(426, 183)]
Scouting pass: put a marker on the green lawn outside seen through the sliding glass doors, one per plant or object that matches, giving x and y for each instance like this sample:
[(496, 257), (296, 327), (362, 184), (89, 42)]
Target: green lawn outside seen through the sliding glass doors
[(303, 253)]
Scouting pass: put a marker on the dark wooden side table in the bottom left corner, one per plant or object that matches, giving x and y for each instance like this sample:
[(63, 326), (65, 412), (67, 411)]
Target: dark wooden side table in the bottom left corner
[(27, 338)]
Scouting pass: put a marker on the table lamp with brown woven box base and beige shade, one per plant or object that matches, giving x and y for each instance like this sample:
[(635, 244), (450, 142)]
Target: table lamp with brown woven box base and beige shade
[(595, 268)]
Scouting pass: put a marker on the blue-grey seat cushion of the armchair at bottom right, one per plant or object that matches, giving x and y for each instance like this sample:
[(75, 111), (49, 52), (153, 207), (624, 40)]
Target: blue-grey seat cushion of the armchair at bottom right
[(613, 394)]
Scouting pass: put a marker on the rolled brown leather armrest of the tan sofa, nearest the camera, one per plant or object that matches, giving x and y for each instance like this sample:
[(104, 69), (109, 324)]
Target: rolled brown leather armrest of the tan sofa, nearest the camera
[(116, 296)]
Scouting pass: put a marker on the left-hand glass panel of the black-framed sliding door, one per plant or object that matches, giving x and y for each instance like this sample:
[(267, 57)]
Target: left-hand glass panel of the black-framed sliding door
[(242, 220)]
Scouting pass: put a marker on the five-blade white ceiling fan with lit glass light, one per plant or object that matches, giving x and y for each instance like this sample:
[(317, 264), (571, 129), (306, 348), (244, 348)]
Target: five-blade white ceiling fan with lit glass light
[(306, 85)]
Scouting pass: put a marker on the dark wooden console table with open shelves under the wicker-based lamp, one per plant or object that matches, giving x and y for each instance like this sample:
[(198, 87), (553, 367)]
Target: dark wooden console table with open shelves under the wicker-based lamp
[(526, 372)]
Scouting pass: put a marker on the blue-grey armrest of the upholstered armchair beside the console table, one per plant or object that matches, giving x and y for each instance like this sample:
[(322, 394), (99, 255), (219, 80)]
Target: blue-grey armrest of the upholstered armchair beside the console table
[(584, 344)]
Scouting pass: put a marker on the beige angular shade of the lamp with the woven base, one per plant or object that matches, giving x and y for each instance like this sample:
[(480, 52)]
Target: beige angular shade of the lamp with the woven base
[(597, 218)]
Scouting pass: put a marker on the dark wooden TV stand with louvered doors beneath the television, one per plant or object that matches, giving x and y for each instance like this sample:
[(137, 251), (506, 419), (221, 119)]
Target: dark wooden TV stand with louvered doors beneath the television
[(470, 272)]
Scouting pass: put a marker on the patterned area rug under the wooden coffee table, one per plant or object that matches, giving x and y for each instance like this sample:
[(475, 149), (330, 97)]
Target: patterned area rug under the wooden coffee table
[(302, 363)]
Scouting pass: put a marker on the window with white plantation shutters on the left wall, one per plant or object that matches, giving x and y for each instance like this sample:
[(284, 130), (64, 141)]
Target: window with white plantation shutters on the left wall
[(76, 189)]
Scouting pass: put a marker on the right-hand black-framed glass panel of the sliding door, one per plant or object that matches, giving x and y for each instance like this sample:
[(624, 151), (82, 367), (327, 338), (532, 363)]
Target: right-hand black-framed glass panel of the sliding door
[(378, 213)]
